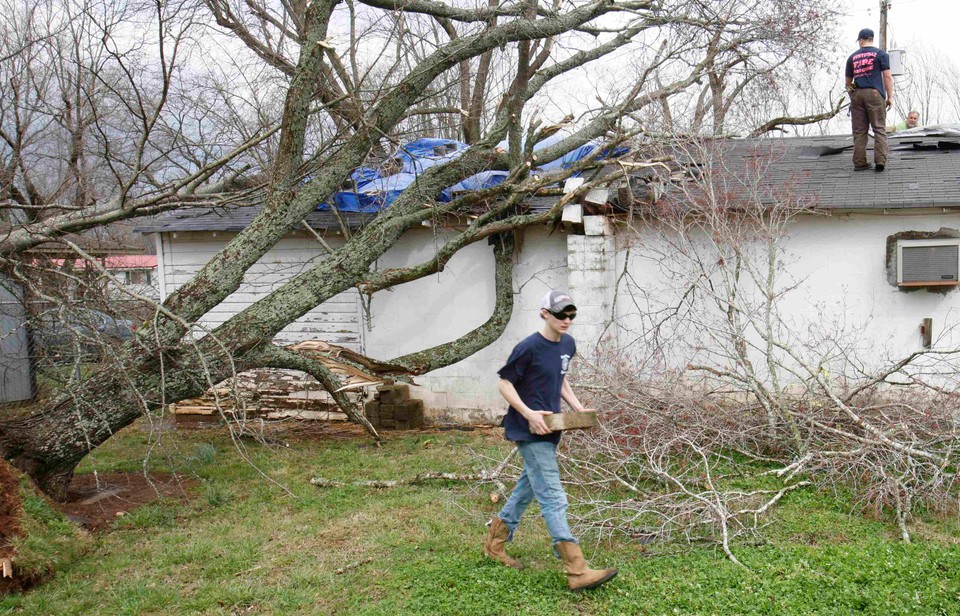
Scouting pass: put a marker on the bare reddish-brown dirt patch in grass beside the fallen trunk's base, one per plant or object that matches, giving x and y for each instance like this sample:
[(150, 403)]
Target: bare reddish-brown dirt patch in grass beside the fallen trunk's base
[(96, 501)]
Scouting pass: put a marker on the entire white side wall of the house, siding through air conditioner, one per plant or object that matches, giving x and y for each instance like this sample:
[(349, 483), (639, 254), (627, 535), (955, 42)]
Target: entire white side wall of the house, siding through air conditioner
[(837, 262)]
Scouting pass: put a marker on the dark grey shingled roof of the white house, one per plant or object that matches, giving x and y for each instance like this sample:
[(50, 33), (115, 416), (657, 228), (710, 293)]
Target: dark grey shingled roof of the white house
[(923, 170)]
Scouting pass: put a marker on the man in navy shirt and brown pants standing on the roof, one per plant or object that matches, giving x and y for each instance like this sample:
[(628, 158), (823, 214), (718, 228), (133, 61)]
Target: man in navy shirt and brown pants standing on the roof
[(870, 85)]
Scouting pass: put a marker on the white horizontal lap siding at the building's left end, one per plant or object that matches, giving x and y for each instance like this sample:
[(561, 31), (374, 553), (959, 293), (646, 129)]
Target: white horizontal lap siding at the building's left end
[(336, 321)]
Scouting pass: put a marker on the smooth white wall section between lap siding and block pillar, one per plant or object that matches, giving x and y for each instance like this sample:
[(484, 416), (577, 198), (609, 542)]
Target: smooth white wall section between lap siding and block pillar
[(440, 308)]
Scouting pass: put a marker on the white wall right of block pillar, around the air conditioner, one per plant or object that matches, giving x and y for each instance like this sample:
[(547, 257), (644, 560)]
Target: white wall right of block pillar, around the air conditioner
[(838, 264)]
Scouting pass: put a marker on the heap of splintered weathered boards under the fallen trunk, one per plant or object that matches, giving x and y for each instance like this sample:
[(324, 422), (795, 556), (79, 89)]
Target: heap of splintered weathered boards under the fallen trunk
[(266, 394)]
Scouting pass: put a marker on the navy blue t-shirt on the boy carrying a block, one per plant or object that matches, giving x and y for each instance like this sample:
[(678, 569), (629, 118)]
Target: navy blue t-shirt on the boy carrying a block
[(536, 368)]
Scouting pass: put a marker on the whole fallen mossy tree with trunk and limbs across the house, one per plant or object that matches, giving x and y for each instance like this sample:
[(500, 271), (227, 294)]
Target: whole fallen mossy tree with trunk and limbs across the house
[(165, 364)]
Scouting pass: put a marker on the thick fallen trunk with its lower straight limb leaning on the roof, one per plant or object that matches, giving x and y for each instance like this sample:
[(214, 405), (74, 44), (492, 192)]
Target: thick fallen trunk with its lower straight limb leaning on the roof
[(49, 445)]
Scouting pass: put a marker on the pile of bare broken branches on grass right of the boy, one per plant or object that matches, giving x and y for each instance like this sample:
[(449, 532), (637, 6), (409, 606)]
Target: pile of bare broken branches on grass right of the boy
[(660, 464)]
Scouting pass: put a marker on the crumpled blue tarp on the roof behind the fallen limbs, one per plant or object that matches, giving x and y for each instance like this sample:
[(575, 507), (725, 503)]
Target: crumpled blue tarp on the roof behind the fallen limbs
[(375, 192)]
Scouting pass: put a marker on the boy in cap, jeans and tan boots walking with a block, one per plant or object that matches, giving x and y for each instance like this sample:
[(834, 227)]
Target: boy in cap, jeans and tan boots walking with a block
[(533, 383)]
